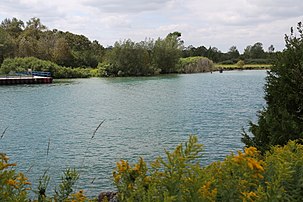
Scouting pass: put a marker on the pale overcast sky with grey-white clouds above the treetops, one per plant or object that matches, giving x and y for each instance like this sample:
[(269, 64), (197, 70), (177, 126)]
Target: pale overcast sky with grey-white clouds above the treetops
[(216, 23)]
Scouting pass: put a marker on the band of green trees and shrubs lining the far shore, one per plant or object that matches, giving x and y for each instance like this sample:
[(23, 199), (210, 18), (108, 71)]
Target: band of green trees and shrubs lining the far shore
[(74, 54)]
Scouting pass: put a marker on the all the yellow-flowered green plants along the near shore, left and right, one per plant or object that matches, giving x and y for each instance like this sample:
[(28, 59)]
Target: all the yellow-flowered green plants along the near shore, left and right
[(181, 176)]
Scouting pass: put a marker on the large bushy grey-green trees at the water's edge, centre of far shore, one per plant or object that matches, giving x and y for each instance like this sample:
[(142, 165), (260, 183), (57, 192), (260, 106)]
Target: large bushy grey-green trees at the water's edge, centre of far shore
[(128, 58)]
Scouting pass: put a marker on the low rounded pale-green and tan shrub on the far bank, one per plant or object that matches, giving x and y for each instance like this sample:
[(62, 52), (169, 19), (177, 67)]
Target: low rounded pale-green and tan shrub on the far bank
[(195, 65)]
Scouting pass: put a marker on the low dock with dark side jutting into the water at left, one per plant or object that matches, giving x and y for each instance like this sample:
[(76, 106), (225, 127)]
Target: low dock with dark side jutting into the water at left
[(14, 80)]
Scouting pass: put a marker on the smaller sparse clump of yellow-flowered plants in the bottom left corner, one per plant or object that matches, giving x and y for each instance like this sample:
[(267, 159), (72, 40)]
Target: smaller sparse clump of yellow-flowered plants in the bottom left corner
[(15, 186)]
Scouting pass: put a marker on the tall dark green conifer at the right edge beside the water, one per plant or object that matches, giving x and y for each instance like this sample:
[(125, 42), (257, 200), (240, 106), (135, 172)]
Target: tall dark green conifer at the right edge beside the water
[(282, 119)]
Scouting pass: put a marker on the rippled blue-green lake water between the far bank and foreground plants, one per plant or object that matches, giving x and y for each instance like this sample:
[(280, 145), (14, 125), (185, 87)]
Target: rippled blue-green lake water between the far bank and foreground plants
[(143, 116)]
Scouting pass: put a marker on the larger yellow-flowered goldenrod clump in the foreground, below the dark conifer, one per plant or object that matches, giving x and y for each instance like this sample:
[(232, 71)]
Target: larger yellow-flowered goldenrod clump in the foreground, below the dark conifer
[(247, 176)]
